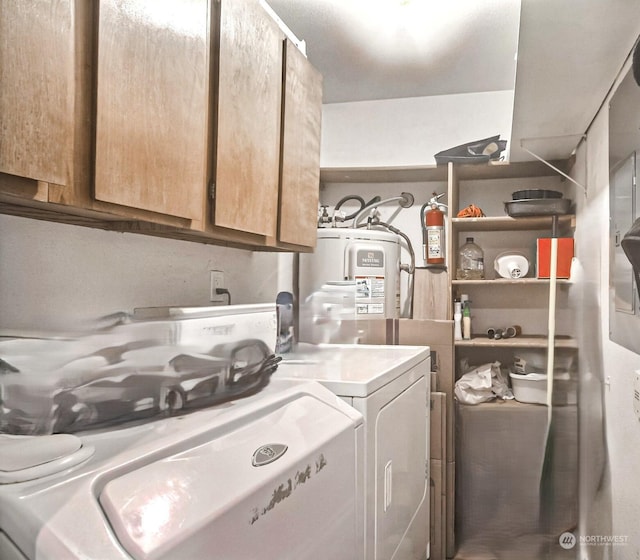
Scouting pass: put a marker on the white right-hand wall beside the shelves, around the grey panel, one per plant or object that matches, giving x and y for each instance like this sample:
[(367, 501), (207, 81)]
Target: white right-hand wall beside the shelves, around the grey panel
[(606, 369)]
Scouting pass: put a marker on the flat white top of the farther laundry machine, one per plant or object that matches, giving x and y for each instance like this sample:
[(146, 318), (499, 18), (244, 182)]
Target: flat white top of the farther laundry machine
[(351, 370)]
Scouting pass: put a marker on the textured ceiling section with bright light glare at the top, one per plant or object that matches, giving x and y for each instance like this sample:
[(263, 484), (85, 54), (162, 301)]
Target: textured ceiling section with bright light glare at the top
[(381, 49)]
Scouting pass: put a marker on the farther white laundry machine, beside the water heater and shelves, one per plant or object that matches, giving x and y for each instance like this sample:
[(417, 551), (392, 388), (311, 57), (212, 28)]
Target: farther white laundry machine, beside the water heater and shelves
[(388, 385)]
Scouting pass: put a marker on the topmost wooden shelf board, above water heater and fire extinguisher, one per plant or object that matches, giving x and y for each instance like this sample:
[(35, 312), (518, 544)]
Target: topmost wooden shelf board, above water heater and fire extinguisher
[(420, 173)]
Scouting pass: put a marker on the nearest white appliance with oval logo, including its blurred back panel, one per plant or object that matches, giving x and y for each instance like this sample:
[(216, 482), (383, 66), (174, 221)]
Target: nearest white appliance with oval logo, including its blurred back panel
[(179, 443)]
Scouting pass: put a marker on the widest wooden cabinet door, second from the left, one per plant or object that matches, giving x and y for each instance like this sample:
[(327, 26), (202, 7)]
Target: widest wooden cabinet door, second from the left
[(152, 105)]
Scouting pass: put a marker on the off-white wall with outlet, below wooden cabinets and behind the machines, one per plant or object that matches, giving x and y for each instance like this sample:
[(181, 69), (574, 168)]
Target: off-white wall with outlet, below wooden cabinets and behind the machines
[(57, 276)]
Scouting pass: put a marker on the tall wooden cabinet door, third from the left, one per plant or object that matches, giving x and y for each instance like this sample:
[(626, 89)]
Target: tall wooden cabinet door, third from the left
[(247, 153)]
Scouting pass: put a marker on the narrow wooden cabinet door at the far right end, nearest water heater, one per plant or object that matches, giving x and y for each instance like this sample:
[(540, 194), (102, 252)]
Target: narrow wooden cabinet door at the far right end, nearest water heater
[(300, 180)]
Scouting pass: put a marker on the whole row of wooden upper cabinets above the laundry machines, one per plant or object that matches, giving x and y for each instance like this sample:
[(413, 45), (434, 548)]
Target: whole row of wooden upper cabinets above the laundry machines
[(182, 115)]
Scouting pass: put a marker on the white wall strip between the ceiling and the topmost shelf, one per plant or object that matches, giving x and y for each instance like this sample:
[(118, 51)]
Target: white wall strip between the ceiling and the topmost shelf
[(404, 132)]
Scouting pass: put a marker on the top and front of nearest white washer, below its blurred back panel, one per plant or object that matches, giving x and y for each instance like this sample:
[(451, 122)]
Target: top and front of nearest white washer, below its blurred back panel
[(273, 476)]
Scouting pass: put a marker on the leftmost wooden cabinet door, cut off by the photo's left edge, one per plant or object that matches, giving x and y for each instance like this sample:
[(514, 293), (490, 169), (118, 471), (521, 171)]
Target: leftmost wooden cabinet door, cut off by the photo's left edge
[(36, 92)]
